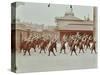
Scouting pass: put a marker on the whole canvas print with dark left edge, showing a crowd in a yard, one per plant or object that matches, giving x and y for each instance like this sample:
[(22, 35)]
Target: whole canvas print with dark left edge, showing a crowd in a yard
[(53, 37)]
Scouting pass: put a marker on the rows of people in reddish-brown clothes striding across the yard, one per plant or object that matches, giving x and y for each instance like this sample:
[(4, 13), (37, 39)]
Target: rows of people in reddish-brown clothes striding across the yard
[(48, 45)]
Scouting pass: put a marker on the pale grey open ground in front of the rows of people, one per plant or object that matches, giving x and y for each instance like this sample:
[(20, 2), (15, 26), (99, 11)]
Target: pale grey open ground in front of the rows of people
[(42, 62)]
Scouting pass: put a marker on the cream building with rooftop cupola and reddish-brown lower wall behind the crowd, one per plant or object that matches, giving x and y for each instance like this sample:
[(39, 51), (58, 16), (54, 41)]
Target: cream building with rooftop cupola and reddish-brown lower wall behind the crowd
[(70, 24)]
